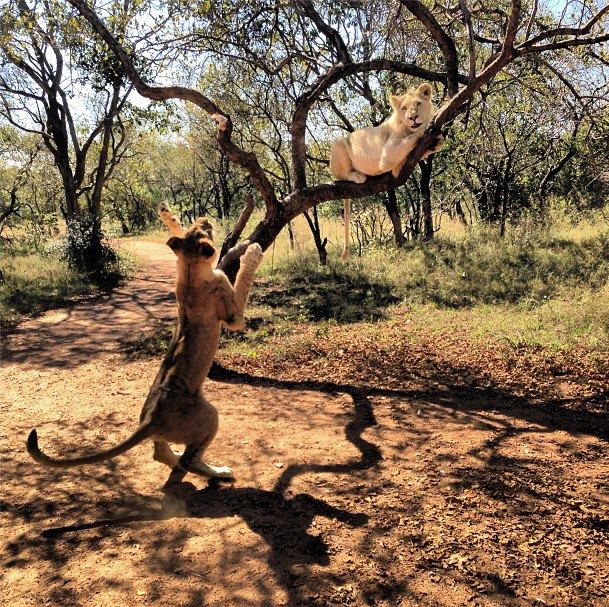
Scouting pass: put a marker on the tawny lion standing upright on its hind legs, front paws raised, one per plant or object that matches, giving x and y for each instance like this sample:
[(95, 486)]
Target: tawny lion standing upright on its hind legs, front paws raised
[(176, 411)]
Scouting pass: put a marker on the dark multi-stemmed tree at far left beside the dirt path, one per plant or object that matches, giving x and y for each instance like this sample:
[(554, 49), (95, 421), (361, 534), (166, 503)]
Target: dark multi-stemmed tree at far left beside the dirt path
[(58, 84)]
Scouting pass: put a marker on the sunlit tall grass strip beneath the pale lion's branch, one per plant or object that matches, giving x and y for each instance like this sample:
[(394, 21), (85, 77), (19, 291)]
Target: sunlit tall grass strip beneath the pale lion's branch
[(546, 285)]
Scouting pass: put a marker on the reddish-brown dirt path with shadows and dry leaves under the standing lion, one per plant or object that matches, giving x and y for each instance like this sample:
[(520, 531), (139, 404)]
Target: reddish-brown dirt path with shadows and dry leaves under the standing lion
[(345, 496)]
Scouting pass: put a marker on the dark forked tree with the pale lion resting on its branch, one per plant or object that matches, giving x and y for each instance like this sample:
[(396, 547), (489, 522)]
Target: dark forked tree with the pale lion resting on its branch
[(305, 50)]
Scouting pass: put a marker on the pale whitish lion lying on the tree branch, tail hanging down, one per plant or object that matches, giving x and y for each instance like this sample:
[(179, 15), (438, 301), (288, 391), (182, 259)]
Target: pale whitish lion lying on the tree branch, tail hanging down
[(369, 152)]
